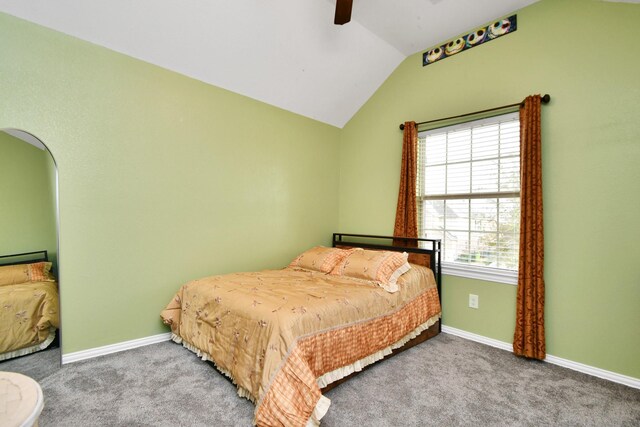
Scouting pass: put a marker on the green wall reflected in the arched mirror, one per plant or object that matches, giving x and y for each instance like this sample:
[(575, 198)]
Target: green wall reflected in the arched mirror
[(27, 203)]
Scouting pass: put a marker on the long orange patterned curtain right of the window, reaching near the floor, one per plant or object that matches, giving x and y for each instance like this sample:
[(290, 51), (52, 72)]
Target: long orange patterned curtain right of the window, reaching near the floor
[(528, 339)]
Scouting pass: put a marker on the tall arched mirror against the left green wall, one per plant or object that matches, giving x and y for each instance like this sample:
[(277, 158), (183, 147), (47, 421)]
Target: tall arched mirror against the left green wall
[(29, 297)]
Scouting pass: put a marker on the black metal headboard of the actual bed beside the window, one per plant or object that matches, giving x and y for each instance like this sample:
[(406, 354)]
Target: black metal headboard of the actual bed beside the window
[(411, 245)]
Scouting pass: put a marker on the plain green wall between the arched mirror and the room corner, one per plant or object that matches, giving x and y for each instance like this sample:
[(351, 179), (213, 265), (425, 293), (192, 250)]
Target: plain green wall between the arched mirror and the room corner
[(162, 178)]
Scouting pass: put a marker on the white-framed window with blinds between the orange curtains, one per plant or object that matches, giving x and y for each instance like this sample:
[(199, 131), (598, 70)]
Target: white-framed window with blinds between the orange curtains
[(469, 195)]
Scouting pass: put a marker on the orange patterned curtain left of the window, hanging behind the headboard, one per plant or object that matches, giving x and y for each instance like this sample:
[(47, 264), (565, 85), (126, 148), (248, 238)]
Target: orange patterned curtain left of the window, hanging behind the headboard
[(406, 212)]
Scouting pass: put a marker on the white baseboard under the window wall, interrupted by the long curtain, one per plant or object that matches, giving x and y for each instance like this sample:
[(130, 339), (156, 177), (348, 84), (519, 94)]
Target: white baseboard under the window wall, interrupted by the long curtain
[(575, 366)]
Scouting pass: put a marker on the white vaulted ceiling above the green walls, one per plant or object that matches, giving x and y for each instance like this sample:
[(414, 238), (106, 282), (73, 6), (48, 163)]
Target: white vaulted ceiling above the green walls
[(287, 53)]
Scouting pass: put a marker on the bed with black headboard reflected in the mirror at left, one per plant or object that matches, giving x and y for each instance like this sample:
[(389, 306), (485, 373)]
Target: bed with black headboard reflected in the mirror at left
[(29, 314)]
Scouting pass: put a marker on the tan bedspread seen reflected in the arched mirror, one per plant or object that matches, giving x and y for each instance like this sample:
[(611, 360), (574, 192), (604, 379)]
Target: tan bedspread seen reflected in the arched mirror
[(27, 313)]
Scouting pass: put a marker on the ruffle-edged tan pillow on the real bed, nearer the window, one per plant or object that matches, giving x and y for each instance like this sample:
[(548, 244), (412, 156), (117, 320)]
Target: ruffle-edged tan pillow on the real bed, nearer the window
[(381, 267)]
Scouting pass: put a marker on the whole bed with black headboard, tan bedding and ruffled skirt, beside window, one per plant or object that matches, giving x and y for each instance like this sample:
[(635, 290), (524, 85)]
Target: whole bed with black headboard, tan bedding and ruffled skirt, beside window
[(286, 336)]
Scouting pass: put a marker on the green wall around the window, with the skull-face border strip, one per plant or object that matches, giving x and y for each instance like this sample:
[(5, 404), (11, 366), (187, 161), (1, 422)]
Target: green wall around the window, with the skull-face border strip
[(584, 54)]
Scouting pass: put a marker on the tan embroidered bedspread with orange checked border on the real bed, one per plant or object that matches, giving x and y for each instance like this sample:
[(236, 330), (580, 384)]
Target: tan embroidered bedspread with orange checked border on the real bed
[(275, 332)]
